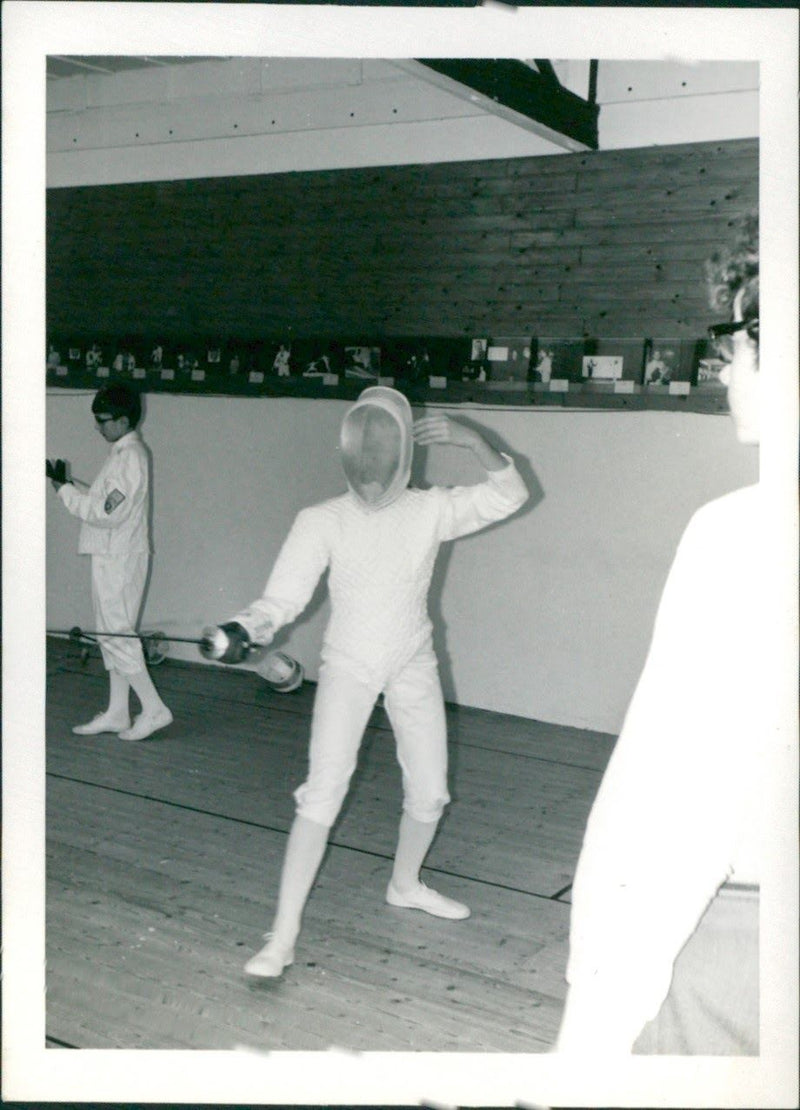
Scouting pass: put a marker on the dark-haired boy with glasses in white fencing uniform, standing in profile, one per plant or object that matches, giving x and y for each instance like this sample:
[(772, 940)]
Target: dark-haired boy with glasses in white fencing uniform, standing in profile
[(115, 533)]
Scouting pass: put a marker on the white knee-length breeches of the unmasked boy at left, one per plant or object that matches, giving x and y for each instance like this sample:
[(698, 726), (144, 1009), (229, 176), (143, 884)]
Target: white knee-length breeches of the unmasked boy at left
[(118, 589)]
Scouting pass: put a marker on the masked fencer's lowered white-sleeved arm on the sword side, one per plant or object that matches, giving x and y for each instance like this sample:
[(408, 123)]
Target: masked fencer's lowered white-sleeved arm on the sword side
[(299, 567)]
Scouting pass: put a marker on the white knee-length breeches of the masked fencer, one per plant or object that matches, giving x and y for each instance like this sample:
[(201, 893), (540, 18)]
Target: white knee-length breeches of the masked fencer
[(342, 708)]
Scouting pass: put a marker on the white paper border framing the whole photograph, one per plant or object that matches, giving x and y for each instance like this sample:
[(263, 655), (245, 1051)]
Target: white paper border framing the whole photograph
[(34, 31)]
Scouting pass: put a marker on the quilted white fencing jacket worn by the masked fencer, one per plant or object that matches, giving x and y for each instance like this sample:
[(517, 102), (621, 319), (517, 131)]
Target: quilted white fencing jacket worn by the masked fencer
[(381, 560)]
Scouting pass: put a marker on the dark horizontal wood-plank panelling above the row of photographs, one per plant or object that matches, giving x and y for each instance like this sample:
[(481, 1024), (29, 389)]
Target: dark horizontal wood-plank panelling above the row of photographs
[(604, 244)]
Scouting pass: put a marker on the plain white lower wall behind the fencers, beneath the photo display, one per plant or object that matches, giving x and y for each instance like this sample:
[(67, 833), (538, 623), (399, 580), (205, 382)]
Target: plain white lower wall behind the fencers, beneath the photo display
[(548, 615)]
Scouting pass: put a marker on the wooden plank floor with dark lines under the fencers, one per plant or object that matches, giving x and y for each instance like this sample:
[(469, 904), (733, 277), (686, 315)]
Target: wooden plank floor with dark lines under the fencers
[(164, 860)]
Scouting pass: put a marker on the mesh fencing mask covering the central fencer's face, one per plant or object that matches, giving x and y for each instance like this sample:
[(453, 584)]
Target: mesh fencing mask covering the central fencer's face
[(377, 447)]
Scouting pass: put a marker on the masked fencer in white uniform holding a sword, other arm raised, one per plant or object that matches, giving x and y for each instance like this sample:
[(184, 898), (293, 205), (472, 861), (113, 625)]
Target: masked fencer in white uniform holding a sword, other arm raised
[(380, 541)]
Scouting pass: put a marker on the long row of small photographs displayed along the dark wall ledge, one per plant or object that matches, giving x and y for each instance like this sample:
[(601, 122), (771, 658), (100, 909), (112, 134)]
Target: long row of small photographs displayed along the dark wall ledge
[(505, 365)]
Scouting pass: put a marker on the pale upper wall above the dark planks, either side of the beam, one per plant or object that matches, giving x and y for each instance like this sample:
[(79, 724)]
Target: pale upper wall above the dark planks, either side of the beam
[(279, 115)]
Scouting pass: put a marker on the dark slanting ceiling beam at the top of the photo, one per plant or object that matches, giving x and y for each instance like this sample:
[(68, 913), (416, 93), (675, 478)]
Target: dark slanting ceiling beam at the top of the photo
[(515, 92)]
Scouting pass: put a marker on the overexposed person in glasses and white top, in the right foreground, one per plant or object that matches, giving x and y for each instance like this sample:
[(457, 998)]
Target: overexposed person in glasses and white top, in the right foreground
[(664, 952)]
